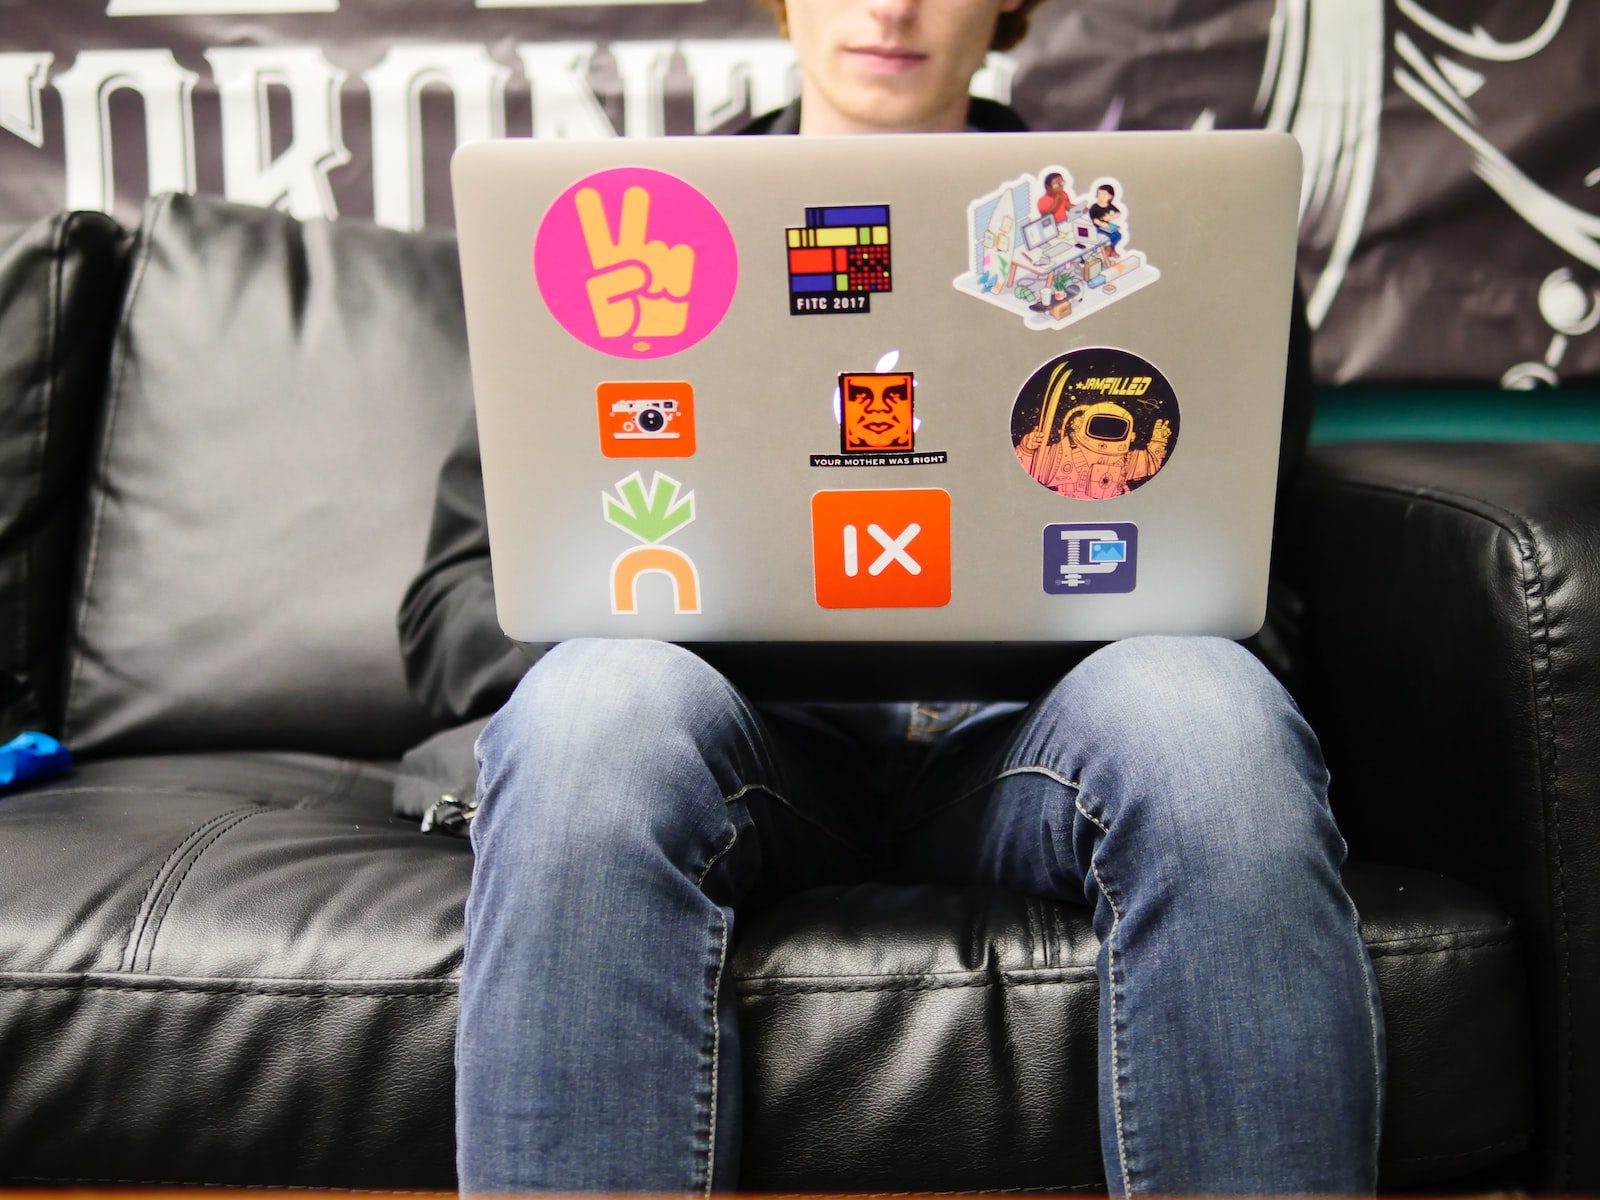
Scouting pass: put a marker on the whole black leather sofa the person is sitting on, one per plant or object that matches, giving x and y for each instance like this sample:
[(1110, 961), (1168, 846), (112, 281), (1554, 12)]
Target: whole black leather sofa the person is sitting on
[(223, 961)]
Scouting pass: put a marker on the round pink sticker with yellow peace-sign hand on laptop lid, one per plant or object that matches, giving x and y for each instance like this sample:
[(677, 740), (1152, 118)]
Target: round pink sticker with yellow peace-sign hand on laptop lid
[(636, 263)]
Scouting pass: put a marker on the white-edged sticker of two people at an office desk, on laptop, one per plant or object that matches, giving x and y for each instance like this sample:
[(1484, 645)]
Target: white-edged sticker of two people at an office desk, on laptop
[(1052, 254)]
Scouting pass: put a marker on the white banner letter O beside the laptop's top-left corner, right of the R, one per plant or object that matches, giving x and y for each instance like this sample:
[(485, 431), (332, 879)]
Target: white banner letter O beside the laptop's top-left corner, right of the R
[(396, 86)]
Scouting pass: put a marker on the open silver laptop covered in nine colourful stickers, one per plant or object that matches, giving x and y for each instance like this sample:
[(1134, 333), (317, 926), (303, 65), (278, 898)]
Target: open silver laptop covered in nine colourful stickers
[(911, 390)]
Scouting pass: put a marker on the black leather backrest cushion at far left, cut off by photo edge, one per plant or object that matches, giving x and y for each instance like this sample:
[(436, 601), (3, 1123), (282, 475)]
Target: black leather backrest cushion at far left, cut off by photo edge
[(60, 281)]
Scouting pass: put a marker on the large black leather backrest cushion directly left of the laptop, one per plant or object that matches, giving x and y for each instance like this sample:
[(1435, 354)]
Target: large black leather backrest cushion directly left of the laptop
[(279, 404)]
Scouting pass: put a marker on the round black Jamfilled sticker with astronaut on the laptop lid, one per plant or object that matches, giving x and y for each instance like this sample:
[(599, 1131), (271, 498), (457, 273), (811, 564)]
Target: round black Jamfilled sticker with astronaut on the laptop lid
[(1095, 423)]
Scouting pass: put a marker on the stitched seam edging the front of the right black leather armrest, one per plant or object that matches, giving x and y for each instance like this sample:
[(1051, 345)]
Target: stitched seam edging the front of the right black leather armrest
[(1542, 673)]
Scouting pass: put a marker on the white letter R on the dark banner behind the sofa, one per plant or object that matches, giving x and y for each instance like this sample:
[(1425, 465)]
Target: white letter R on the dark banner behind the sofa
[(297, 182)]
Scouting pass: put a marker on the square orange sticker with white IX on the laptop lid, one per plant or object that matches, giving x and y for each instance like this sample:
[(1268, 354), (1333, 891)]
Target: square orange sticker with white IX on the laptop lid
[(882, 550)]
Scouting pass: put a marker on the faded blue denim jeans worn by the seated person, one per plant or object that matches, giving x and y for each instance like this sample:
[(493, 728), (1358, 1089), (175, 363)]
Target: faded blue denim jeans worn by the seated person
[(631, 799)]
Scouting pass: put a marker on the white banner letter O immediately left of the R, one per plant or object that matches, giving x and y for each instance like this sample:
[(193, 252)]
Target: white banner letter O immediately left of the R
[(169, 121)]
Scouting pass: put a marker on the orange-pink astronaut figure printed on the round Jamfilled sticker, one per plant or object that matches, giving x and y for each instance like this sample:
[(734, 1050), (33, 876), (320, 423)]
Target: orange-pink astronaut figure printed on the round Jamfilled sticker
[(1095, 457)]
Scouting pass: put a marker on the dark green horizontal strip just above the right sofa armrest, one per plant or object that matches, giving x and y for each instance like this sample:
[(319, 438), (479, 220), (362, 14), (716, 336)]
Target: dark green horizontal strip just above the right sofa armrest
[(1457, 415)]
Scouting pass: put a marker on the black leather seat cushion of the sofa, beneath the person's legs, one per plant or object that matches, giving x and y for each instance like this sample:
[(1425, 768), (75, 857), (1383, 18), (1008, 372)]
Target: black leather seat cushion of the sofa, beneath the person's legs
[(242, 970)]
